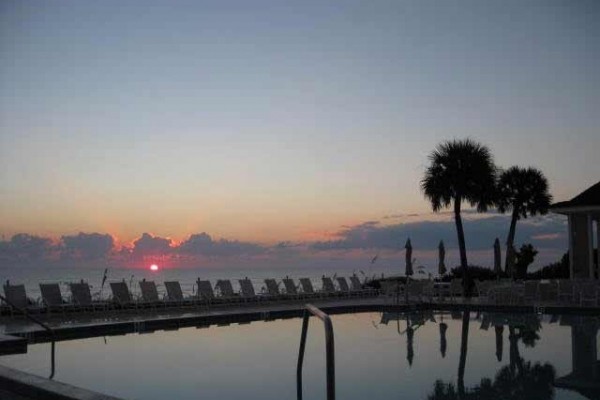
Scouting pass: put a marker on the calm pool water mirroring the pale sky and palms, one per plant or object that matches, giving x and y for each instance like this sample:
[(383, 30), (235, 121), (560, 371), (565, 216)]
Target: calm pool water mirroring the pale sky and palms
[(378, 356)]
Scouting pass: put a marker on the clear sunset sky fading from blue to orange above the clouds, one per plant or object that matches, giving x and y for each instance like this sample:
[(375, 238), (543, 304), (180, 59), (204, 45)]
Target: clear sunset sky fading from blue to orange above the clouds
[(262, 122)]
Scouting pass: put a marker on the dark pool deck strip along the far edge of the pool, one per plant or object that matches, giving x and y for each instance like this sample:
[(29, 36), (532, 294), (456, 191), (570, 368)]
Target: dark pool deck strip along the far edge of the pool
[(66, 326)]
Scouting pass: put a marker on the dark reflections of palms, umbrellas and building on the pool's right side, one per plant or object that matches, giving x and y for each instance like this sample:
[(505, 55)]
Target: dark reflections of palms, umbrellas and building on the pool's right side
[(520, 379)]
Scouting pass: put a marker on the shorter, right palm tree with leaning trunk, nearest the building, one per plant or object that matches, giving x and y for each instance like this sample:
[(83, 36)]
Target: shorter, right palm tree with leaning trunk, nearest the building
[(524, 191)]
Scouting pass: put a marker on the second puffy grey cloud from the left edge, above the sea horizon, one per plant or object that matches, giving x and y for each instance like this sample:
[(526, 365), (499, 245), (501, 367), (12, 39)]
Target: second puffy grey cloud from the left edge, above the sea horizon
[(87, 246)]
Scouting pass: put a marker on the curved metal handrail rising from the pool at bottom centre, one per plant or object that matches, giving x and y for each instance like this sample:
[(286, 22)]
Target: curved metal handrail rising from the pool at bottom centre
[(329, 350)]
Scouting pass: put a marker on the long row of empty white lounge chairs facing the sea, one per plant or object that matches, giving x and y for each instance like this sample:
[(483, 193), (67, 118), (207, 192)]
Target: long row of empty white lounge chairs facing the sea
[(223, 293)]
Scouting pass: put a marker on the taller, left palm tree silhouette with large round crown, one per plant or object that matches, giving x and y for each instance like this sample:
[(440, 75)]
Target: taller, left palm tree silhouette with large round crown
[(460, 170)]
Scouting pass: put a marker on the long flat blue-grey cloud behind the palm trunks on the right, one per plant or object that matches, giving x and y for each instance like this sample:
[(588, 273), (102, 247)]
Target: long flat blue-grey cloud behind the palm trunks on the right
[(543, 232)]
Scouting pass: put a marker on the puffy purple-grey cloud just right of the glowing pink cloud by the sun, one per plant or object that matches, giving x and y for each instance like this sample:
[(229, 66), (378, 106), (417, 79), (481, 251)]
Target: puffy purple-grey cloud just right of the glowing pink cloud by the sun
[(203, 244)]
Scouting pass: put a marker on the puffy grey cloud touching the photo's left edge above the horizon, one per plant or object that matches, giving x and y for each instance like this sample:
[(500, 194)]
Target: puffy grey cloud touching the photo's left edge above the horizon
[(25, 247)]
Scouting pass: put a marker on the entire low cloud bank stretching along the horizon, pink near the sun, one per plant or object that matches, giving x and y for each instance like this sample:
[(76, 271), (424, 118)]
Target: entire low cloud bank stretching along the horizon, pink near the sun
[(349, 244)]
